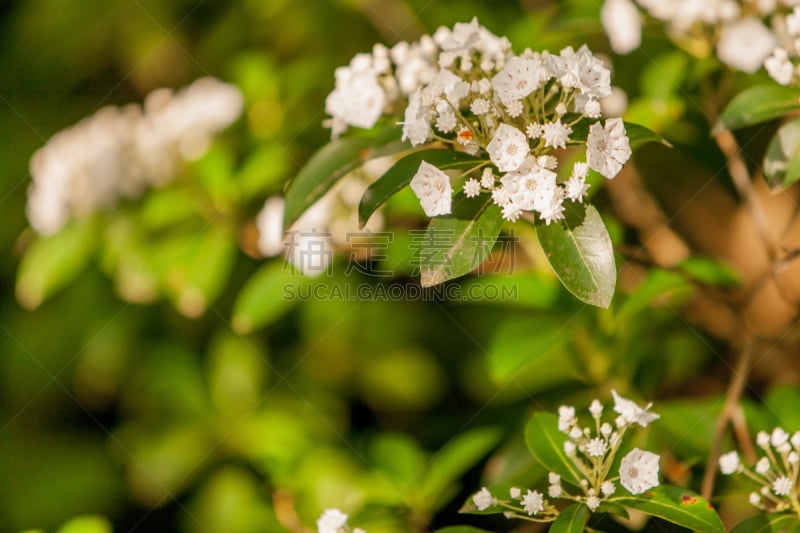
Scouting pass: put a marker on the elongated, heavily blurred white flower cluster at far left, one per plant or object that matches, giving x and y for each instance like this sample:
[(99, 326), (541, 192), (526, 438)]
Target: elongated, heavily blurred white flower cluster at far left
[(121, 151)]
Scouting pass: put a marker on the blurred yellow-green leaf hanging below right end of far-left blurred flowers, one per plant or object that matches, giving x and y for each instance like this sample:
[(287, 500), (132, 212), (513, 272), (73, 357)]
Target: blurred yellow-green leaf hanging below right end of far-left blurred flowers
[(196, 277)]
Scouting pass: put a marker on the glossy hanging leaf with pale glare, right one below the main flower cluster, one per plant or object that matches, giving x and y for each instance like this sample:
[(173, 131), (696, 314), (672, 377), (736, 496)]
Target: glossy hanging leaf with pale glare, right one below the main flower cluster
[(580, 251)]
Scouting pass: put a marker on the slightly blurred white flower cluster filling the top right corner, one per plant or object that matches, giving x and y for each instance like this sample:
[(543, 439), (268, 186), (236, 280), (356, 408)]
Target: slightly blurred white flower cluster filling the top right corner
[(746, 34)]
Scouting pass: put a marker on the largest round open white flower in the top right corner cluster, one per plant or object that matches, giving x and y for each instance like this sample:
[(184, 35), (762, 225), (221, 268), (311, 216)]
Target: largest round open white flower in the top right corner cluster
[(744, 44)]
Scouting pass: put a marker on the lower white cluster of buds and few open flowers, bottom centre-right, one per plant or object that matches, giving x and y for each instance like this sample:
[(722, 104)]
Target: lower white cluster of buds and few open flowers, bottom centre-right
[(593, 452)]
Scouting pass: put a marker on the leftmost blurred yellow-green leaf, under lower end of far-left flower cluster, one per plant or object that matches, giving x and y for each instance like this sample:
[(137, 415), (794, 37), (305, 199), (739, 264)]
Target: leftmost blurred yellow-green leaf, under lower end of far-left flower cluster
[(53, 262)]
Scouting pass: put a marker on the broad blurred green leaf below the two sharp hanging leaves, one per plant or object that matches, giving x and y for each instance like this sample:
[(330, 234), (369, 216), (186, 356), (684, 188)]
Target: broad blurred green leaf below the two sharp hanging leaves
[(535, 343)]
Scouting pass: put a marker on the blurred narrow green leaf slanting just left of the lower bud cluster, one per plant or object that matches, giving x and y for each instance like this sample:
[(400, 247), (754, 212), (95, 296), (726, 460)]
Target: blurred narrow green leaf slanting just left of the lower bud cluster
[(450, 462)]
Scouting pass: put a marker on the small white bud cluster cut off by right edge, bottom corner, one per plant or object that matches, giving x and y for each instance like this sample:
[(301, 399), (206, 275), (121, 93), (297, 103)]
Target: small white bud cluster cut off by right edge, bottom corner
[(776, 472)]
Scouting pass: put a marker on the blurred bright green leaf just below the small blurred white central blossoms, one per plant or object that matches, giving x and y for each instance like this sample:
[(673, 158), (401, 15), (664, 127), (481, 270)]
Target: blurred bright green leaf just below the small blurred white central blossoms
[(266, 296)]
